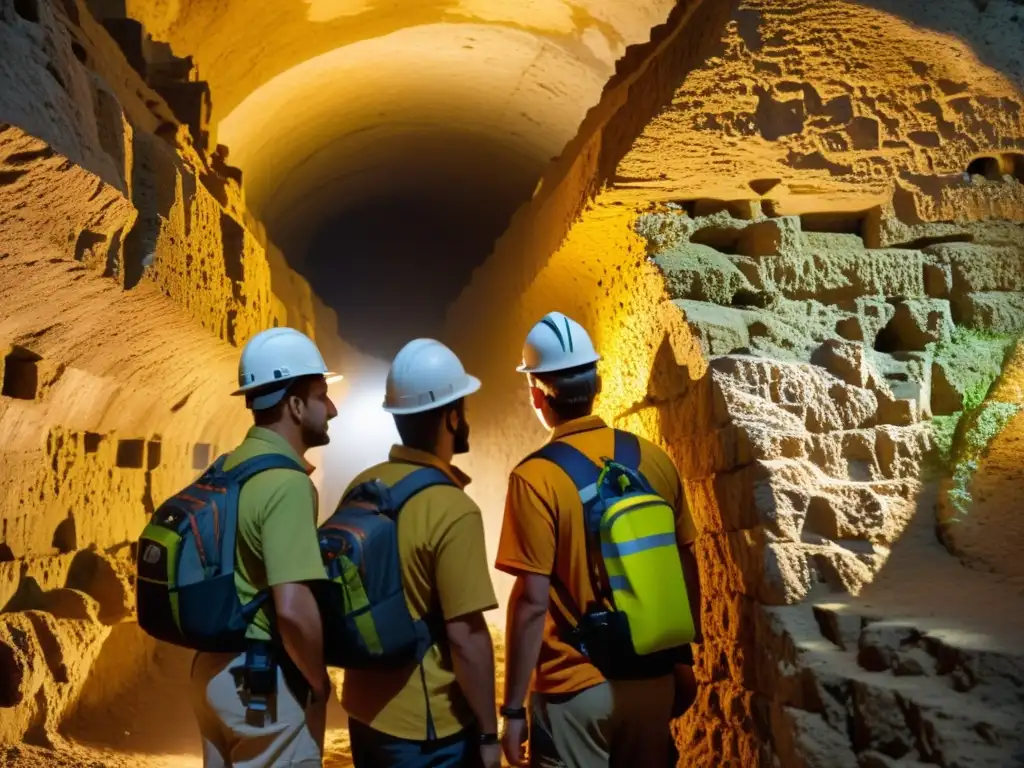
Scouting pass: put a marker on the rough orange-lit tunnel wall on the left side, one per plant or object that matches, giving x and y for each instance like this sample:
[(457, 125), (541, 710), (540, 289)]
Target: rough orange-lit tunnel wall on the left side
[(130, 274)]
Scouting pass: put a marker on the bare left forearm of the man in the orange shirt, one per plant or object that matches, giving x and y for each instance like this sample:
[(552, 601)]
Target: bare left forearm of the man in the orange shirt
[(527, 612)]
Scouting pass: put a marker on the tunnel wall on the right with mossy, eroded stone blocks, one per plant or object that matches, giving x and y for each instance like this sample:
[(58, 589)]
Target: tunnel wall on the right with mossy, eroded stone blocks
[(815, 359)]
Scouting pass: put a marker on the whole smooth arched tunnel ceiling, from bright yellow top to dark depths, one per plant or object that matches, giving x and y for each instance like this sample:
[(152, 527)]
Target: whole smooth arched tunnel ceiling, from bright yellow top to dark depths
[(386, 146)]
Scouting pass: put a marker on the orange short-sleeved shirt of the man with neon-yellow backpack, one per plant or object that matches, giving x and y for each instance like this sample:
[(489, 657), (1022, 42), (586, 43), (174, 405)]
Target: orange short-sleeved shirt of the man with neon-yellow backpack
[(543, 533)]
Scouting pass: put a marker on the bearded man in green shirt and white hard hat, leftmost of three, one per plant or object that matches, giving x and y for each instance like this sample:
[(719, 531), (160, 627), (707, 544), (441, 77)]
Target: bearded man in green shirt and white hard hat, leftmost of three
[(284, 380)]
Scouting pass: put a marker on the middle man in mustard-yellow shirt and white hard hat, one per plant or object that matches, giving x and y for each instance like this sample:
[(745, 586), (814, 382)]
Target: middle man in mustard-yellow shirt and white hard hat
[(440, 713)]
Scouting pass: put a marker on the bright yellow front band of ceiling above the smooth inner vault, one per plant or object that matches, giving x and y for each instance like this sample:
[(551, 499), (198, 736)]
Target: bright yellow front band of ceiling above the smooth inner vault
[(261, 39)]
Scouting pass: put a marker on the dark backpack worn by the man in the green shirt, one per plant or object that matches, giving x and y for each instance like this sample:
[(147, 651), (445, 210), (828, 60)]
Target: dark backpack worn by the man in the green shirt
[(186, 562)]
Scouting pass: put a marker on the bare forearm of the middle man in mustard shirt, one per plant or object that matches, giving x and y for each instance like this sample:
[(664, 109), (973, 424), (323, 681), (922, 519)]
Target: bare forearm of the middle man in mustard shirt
[(474, 659)]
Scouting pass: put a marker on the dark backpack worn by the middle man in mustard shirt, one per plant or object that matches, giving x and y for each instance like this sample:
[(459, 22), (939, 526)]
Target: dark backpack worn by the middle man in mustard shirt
[(367, 623)]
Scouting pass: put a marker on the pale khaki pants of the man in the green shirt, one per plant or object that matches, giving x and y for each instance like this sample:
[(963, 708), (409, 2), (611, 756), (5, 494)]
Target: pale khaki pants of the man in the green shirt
[(230, 742)]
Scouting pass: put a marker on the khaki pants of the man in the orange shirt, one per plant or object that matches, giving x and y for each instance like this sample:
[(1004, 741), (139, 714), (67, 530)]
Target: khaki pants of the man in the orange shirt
[(618, 723)]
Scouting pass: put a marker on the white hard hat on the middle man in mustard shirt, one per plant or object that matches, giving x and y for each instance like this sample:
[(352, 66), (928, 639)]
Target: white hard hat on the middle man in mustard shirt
[(426, 375)]
